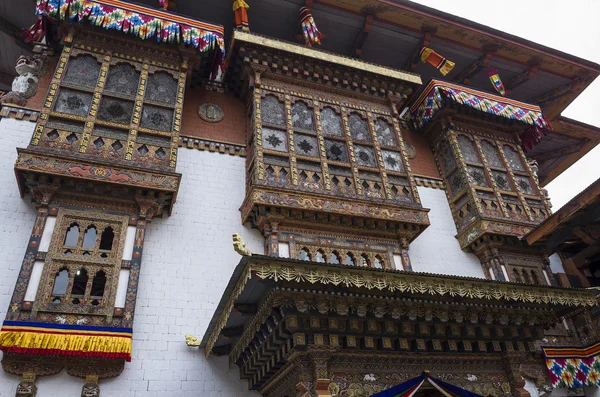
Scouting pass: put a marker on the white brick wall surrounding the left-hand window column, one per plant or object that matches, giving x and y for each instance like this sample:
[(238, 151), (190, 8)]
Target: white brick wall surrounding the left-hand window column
[(187, 262)]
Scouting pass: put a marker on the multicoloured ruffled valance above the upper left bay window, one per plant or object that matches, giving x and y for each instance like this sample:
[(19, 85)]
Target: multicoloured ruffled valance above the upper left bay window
[(143, 22)]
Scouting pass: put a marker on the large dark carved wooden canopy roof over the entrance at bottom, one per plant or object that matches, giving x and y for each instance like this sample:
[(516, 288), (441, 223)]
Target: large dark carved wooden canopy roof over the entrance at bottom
[(272, 305)]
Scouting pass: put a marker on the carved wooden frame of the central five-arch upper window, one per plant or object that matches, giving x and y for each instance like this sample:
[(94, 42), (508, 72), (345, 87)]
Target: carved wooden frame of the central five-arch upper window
[(360, 186)]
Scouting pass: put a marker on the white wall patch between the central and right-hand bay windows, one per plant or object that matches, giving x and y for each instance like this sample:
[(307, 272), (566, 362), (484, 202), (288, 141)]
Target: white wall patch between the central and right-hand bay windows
[(436, 250)]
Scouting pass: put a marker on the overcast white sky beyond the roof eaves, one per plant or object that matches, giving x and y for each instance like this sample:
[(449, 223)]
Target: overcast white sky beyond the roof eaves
[(569, 26)]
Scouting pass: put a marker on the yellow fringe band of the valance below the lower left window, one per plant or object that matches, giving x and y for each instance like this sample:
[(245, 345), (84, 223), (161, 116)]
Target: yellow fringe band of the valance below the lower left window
[(75, 343)]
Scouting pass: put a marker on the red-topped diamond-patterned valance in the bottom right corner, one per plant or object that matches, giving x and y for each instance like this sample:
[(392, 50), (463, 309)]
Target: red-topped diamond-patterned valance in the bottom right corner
[(573, 367)]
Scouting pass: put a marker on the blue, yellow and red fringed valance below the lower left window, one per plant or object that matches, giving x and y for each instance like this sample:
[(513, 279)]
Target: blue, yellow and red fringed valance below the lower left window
[(65, 340)]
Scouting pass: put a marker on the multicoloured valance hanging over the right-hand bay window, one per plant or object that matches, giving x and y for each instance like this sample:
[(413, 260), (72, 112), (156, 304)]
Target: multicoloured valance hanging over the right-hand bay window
[(435, 95)]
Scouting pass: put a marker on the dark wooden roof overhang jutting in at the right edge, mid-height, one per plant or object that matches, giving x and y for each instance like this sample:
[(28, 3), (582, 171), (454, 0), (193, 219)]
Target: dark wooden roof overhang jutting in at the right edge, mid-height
[(573, 229)]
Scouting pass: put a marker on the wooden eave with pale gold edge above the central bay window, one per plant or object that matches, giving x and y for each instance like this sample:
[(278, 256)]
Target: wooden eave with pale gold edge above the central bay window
[(314, 68)]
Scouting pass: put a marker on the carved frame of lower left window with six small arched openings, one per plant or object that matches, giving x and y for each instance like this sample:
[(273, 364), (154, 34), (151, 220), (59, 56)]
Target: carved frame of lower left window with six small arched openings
[(56, 259)]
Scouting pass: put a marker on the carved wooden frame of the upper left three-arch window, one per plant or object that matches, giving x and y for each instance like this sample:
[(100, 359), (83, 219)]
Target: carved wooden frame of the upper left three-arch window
[(161, 157)]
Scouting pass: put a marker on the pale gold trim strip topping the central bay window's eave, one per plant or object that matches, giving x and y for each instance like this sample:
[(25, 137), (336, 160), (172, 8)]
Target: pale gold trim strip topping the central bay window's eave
[(296, 49)]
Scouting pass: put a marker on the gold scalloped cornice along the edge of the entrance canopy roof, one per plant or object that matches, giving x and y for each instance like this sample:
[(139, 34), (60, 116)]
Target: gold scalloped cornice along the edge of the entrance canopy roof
[(379, 282)]
